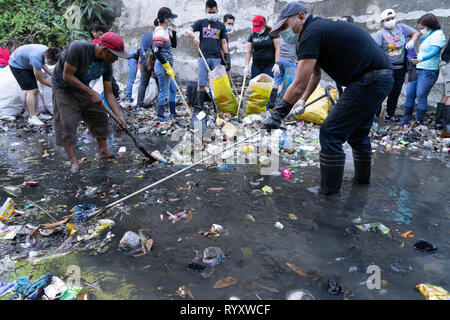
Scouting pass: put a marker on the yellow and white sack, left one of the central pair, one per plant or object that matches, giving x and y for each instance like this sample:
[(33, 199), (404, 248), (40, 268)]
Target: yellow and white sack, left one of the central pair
[(222, 93)]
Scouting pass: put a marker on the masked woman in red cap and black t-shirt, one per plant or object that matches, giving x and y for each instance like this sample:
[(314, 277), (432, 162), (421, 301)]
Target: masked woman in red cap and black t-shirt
[(265, 51)]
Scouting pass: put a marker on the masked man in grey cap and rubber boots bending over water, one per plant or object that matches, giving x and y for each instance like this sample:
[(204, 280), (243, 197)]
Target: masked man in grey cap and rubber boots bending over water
[(349, 55)]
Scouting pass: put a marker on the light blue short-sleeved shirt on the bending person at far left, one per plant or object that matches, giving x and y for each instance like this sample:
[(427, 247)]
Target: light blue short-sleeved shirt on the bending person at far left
[(28, 57)]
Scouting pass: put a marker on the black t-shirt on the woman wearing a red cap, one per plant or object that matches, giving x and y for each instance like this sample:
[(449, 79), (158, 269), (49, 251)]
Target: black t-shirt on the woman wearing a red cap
[(263, 48)]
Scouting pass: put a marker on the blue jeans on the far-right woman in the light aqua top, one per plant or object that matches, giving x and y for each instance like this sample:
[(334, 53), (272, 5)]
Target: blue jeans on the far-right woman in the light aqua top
[(420, 89)]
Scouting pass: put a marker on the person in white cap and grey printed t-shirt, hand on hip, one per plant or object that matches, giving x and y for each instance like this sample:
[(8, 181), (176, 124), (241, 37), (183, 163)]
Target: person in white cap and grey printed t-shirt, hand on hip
[(393, 39)]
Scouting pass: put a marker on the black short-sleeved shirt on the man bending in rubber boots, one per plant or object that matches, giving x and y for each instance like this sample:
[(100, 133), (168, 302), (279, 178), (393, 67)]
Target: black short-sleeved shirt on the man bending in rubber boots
[(343, 50)]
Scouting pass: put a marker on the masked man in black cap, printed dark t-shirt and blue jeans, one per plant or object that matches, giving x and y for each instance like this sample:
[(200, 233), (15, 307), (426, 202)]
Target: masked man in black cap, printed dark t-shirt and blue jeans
[(212, 39)]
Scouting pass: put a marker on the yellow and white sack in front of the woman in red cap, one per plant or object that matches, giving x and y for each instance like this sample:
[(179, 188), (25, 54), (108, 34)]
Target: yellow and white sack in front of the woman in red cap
[(258, 94)]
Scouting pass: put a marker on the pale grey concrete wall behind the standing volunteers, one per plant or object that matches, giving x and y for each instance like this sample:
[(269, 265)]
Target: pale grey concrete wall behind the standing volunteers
[(135, 17)]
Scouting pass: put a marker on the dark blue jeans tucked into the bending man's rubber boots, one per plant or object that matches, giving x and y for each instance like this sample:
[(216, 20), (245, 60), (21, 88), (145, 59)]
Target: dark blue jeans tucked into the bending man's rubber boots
[(352, 117)]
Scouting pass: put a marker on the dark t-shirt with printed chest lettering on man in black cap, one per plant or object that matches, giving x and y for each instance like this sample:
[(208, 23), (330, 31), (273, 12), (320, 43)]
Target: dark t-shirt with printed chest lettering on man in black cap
[(211, 35)]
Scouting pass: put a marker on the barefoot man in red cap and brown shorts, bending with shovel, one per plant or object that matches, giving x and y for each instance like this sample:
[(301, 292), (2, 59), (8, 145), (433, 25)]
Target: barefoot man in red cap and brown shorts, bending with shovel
[(74, 100)]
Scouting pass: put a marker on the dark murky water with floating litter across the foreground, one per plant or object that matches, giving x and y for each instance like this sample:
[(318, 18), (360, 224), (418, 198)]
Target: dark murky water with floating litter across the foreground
[(322, 242)]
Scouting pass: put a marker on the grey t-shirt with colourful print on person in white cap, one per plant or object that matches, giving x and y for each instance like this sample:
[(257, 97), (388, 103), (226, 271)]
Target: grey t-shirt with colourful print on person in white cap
[(393, 43)]
